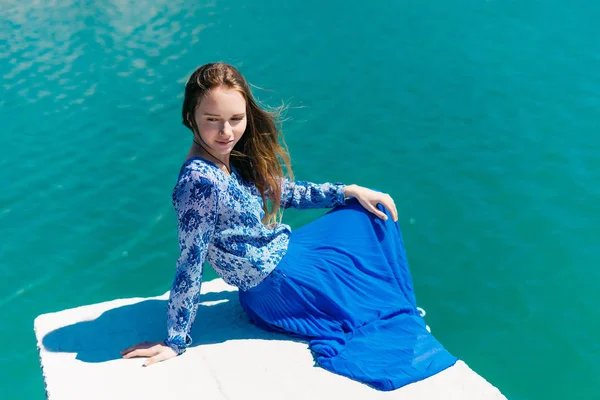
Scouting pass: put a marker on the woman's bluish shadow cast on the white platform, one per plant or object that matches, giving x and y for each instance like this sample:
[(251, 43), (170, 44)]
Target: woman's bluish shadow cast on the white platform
[(220, 318)]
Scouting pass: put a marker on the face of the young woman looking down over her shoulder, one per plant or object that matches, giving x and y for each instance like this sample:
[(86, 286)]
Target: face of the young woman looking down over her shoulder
[(221, 119)]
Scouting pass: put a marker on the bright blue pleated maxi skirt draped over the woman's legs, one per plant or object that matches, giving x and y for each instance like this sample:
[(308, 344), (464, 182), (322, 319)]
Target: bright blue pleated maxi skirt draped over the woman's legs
[(345, 287)]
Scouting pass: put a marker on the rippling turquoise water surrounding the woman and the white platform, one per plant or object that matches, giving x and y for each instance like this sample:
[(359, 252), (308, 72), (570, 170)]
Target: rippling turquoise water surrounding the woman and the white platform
[(480, 118)]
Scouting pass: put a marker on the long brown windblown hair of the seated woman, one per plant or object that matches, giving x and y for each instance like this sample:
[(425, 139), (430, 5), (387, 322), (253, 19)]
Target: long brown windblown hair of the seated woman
[(261, 153)]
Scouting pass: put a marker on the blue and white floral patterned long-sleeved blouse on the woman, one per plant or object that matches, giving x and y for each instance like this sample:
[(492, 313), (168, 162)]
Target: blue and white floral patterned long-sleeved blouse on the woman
[(220, 221)]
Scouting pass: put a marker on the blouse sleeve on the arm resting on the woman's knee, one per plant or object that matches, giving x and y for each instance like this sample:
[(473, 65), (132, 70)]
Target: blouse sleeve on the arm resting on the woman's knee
[(302, 194)]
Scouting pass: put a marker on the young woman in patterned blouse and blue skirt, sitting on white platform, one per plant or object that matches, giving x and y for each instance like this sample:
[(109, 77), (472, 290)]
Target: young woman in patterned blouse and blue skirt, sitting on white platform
[(342, 282)]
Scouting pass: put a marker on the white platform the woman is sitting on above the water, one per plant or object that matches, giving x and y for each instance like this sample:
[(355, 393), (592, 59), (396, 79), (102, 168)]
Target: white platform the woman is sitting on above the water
[(229, 359)]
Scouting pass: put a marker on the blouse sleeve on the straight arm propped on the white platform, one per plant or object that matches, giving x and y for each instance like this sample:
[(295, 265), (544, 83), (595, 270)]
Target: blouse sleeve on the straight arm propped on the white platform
[(195, 202)]
